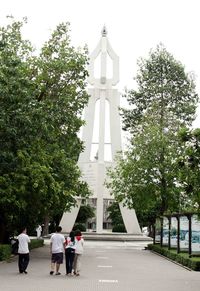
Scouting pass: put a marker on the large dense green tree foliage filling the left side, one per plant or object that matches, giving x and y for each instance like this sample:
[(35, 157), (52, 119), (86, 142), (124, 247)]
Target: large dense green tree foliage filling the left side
[(41, 98)]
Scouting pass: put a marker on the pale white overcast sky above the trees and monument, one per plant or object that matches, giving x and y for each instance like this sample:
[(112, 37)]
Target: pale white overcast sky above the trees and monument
[(134, 27)]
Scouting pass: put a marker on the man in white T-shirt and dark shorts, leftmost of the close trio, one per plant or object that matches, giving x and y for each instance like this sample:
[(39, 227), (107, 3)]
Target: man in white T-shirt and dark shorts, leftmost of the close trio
[(57, 245)]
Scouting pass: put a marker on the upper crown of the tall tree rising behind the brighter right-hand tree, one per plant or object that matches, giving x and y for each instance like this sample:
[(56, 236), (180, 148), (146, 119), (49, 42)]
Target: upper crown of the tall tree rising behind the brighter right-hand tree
[(161, 81)]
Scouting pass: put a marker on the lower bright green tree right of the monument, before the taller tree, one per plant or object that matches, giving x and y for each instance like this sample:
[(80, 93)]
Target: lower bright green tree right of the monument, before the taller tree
[(136, 178)]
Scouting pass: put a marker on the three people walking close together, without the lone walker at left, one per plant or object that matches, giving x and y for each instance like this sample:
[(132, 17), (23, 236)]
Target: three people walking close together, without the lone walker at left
[(72, 246)]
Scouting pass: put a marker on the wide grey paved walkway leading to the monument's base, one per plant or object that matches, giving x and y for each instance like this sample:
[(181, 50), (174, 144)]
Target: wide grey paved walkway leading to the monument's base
[(106, 266)]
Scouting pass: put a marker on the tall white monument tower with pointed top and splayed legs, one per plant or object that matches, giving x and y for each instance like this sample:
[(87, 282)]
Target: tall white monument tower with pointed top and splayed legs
[(101, 136)]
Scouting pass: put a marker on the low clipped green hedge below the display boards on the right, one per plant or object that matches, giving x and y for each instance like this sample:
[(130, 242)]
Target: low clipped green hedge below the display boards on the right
[(181, 258)]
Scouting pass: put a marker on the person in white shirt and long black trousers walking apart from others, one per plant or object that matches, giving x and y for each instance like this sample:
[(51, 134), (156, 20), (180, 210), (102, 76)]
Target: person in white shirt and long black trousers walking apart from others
[(23, 251)]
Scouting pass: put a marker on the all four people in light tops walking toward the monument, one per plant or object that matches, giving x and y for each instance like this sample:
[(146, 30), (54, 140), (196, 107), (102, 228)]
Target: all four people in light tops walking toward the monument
[(72, 247)]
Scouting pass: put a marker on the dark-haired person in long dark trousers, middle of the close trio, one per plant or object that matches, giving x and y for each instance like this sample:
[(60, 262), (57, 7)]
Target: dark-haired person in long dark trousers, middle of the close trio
[(70, 252)]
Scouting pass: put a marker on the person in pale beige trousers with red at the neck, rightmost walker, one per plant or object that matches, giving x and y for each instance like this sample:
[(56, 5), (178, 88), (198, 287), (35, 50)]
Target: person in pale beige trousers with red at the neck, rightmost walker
[(79, 241)]
